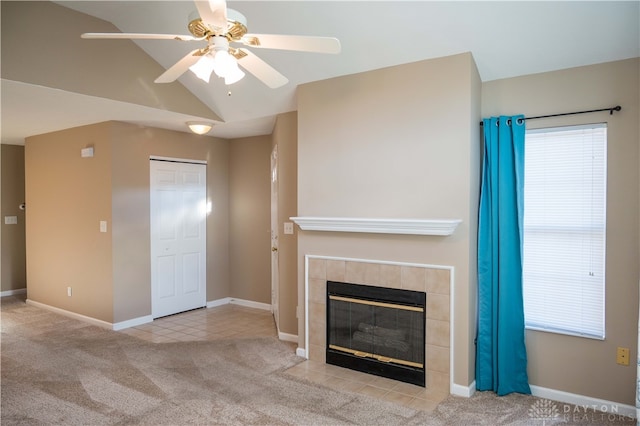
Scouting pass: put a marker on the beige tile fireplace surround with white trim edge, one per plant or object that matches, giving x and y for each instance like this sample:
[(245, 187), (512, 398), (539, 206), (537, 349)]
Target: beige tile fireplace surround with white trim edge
[(434, 280)]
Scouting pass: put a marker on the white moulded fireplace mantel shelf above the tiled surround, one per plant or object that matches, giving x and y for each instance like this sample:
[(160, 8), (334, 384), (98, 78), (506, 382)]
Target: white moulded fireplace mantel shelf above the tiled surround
[(378, 226)]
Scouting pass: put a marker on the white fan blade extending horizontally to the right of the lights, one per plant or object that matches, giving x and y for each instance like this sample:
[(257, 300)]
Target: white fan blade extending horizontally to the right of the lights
[(293, 42)]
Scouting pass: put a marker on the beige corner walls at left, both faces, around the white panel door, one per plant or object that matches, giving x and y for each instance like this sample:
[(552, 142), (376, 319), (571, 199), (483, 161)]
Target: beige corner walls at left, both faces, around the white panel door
[(110, 272)]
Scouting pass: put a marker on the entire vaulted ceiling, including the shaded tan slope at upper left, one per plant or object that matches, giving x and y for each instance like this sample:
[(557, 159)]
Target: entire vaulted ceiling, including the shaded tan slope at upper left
[(51, 79)]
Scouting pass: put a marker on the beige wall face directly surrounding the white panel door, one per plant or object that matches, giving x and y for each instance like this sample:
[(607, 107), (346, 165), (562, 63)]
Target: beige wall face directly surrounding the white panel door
[(132, 146)]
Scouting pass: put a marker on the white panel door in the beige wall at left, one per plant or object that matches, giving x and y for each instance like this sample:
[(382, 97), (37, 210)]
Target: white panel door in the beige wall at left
[(178, 237)]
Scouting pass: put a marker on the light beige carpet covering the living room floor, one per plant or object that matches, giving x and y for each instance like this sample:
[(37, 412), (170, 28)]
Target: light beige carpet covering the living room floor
[(57, 370)]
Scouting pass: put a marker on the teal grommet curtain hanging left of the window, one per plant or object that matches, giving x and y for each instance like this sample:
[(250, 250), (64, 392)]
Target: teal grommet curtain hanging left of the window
[(501, 357)]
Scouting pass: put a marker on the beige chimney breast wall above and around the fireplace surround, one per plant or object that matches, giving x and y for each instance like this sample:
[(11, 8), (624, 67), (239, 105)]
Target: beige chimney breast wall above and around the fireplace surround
[(400, 142)]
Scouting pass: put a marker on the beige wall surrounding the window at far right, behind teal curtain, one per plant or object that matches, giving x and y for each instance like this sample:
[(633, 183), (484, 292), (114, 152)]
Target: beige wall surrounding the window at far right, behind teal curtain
[(572, 364)]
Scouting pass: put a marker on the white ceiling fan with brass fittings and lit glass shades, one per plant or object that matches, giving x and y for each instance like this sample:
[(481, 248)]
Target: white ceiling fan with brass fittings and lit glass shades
[(220, 27)]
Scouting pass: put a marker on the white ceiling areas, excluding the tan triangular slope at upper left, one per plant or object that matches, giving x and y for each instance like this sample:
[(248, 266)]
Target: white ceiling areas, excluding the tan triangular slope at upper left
[(507, 39)]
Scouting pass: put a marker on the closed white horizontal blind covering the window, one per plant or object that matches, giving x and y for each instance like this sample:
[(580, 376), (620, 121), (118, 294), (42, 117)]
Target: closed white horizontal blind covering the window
[(564, 229)]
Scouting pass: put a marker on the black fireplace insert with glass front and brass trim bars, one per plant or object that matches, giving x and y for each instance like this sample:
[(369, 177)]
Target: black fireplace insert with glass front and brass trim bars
[(376, 330)]
